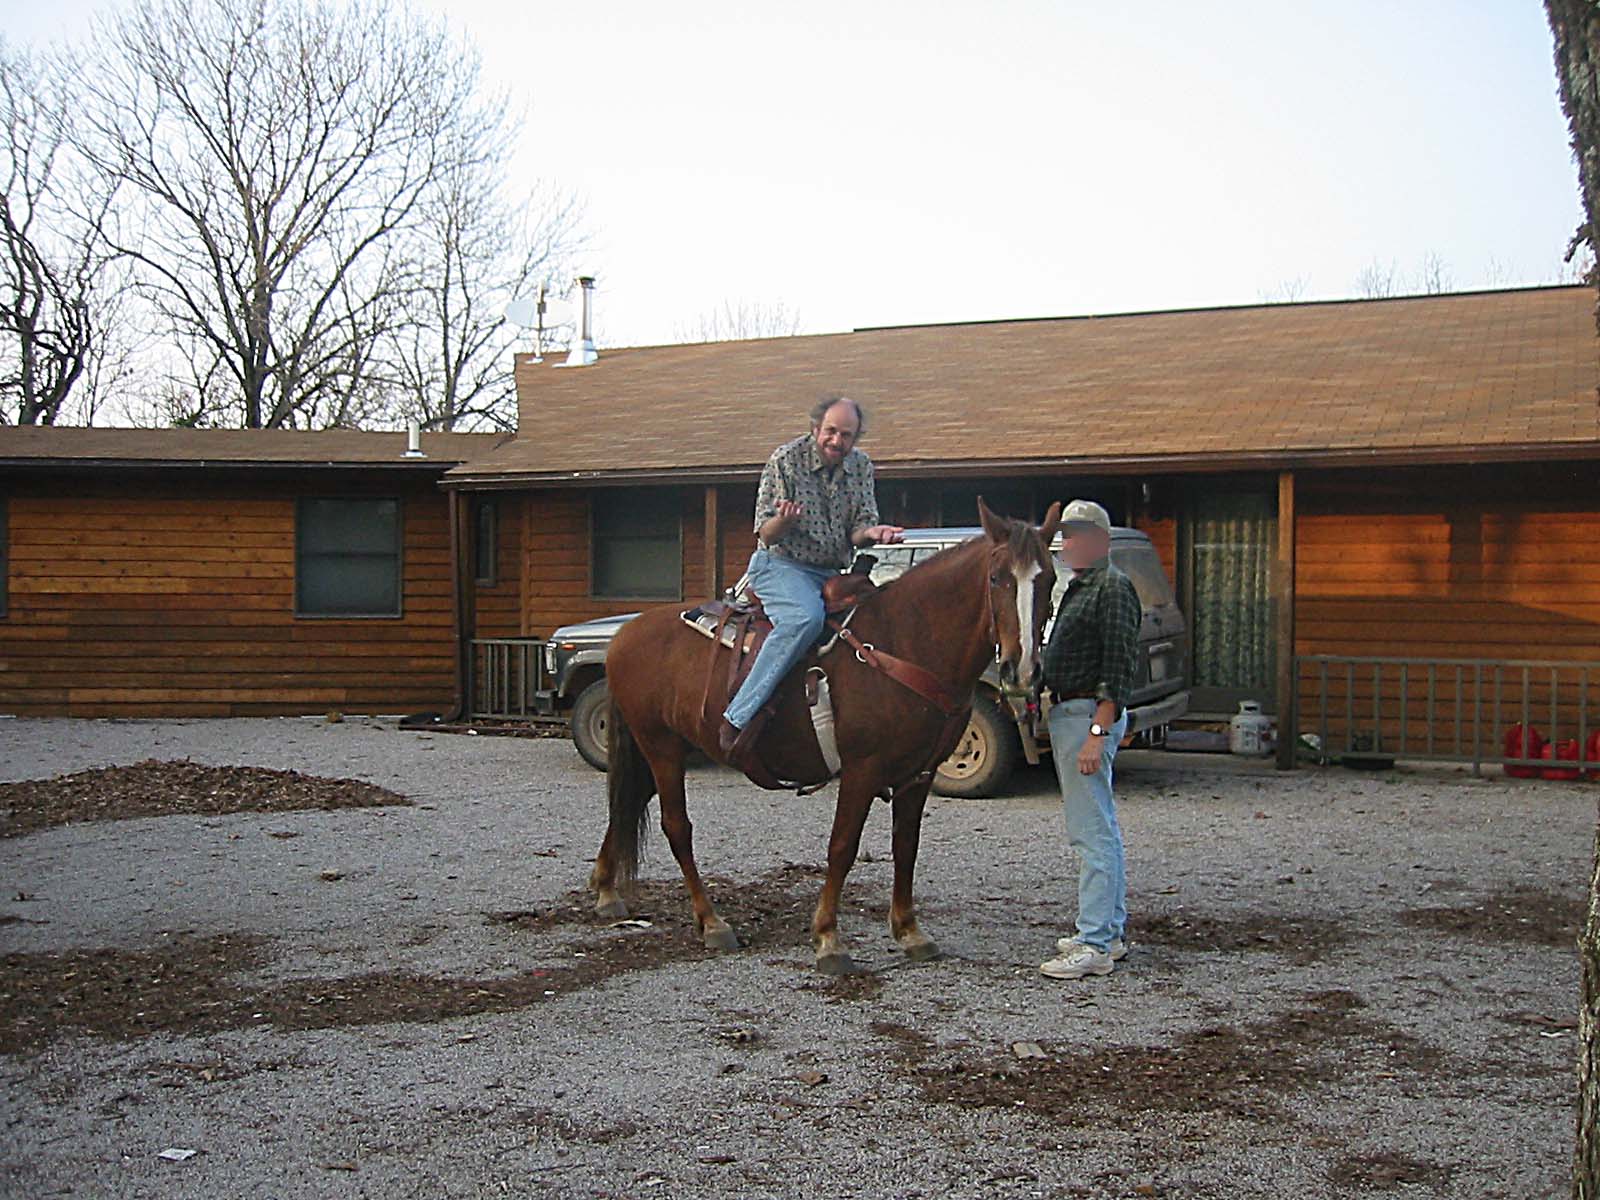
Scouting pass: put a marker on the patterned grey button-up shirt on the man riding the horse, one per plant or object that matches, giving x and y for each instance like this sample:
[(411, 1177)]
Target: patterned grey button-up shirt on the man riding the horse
[(839, 502)]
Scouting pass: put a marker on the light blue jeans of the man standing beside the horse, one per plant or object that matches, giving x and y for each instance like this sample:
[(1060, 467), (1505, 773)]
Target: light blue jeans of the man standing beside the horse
[(1092, 823)]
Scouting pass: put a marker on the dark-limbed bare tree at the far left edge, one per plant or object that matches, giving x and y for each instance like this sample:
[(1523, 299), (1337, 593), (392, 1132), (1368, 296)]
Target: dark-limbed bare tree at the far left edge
[(52, 257)]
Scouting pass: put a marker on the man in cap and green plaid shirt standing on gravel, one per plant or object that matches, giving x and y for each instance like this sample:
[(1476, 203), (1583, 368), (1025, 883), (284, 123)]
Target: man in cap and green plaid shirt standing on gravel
[(1090, 666)]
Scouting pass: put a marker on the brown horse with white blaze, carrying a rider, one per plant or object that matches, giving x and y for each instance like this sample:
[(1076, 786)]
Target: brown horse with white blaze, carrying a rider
[(951, 615)]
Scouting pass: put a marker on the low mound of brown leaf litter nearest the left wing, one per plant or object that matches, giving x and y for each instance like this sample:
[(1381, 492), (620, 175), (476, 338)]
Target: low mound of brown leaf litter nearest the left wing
[(170, 788)]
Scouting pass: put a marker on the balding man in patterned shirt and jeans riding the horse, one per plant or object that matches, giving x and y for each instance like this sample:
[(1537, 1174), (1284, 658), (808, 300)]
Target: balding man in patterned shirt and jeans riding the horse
[(817, 503)]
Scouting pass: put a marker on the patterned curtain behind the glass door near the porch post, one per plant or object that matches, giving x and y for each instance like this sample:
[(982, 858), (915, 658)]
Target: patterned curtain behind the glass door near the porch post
[(1233, 538)]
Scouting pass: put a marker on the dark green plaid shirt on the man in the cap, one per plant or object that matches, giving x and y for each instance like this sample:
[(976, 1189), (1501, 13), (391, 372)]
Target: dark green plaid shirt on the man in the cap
[(1095, 646)]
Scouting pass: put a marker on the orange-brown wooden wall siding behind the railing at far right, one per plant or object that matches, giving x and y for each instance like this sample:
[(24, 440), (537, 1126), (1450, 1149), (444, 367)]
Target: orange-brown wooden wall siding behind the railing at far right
[(1457, 566)]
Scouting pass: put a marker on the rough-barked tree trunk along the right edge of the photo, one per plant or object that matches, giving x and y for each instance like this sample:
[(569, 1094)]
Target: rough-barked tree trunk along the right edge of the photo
[(1575, 26)]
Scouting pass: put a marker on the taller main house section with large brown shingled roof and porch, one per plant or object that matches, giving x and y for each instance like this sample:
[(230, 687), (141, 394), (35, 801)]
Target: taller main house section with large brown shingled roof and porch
[(1327, 484)]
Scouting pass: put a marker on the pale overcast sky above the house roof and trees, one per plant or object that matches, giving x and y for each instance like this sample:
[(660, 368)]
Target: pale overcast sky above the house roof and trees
[(886, 164)]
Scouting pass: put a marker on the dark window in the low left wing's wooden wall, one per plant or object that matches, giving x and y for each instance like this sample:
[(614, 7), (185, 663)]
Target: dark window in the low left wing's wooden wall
[(348, 558)]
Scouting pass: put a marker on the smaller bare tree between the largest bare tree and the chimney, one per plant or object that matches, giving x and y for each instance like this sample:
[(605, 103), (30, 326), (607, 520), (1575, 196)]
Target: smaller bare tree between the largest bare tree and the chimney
[(450, 359)]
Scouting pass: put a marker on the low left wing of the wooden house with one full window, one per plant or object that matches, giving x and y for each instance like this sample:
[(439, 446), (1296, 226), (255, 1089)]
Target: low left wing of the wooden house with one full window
[(198, 572)]
